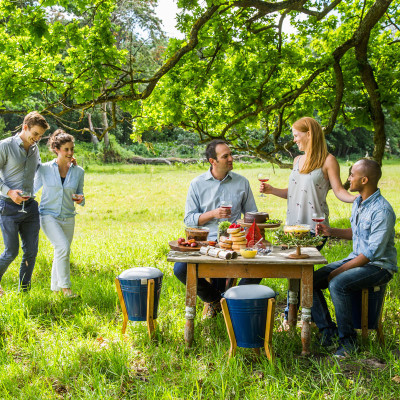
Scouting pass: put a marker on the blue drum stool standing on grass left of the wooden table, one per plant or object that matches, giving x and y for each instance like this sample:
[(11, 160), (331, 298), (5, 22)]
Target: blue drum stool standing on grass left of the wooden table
[(139, 293)]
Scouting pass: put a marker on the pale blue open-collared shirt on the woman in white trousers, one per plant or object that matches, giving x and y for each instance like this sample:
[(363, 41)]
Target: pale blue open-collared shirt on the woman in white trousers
[(56, 197)]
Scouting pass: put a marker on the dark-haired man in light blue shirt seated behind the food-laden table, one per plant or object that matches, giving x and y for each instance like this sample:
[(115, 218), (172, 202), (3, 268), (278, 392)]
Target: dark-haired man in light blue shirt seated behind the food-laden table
[(203, 207)]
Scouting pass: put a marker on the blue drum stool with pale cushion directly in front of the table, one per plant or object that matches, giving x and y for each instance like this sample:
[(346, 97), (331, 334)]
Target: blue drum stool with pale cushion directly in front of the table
[(249, 317)]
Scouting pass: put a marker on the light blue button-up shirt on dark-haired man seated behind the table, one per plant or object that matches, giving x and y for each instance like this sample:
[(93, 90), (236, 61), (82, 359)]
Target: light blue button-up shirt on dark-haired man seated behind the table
[(205, 194)]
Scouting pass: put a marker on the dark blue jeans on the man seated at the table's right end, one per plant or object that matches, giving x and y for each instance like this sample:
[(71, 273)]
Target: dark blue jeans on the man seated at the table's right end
[(340, 289)]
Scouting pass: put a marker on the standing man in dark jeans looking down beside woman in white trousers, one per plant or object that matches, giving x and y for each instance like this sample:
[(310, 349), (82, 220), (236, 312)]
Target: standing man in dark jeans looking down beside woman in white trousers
[(19, 160)]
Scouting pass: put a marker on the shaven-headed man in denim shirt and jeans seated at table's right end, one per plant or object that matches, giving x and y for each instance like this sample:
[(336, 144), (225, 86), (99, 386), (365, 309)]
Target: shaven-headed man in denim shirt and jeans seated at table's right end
[(372, 262)]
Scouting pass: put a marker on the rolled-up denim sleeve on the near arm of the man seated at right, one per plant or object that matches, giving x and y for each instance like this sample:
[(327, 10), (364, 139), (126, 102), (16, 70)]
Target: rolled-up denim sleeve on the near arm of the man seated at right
[(382, 224)]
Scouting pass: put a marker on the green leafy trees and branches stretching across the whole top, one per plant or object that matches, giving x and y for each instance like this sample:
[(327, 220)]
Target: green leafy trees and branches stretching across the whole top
[(239, 74)]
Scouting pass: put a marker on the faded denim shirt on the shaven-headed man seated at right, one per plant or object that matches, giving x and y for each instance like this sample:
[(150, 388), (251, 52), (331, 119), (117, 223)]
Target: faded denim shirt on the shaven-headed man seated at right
[(372, 222)]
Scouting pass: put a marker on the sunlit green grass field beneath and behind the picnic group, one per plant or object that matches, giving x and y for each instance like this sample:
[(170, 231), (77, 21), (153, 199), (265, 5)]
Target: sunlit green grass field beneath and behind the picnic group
[(51, 347)]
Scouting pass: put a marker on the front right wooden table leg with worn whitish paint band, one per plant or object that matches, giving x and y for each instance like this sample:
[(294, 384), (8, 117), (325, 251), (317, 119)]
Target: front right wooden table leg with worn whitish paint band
[(306, 304)]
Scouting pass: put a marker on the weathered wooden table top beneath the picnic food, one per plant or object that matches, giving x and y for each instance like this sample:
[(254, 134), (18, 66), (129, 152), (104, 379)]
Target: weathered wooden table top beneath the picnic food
[(278, 256)]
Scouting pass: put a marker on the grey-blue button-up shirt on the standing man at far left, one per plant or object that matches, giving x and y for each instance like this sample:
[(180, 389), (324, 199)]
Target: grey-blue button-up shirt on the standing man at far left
[(17, 166)]
